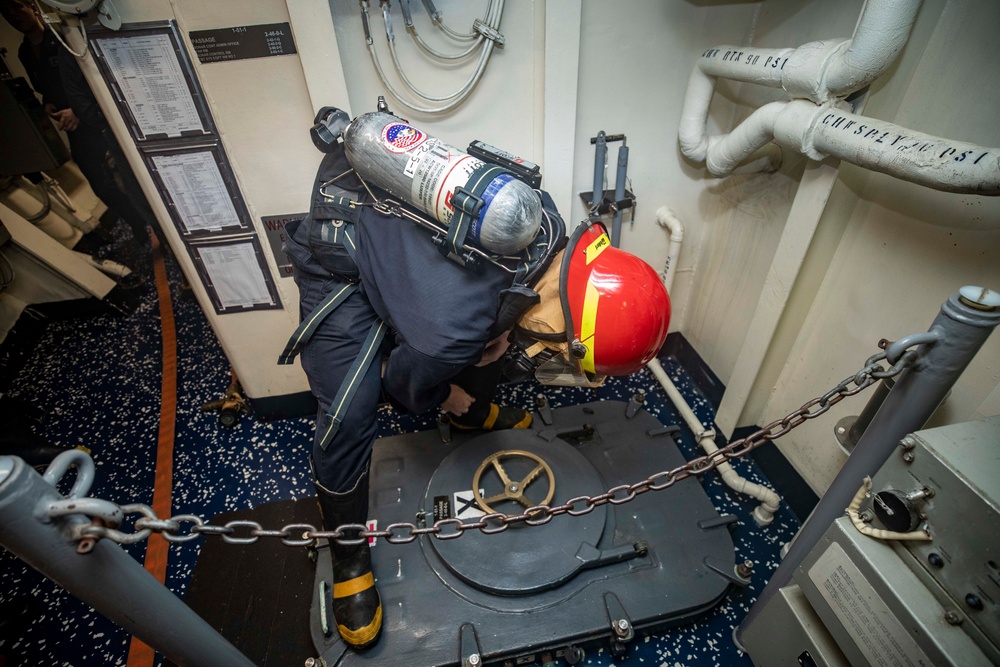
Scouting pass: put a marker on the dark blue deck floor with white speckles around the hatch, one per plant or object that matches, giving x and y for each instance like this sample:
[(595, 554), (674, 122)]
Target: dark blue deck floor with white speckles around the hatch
[(98, 380)]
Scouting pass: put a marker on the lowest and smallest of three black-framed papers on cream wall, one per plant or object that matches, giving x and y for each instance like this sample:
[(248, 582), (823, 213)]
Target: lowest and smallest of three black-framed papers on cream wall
[(235, 274)]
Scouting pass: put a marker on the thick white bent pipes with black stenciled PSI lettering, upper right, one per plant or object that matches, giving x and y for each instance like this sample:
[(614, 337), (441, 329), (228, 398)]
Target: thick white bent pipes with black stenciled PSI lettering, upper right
[(816, 122)]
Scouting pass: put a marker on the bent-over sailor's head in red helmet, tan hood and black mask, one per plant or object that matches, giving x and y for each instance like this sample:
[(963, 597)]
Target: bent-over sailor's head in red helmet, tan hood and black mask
[(616, 307)]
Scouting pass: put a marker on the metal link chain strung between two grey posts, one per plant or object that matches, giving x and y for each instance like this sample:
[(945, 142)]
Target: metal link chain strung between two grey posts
[(304, 534)]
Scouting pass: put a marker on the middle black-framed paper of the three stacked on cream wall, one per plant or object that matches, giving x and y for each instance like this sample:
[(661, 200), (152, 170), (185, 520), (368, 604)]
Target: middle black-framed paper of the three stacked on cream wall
[(198, 190)]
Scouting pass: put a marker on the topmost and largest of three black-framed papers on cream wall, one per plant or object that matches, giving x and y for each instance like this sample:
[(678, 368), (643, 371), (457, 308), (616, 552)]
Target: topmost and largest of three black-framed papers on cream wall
[(152, 80)]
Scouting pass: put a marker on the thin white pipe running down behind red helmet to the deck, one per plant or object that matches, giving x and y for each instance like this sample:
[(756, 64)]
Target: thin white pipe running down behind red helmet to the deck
[(763, 514)]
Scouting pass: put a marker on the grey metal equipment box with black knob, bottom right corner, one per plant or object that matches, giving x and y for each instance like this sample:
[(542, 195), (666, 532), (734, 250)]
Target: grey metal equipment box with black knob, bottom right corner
[(857, 600)]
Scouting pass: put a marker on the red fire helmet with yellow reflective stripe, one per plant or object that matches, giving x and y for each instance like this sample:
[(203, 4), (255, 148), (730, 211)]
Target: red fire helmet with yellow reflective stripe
[(619, 305)]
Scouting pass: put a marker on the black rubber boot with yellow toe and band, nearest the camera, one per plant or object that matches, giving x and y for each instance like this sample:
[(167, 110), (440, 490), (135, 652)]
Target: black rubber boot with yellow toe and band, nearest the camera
[(357, 607)]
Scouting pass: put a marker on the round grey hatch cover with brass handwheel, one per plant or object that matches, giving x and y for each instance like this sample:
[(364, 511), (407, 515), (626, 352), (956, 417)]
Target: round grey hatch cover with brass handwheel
[(511, 469)]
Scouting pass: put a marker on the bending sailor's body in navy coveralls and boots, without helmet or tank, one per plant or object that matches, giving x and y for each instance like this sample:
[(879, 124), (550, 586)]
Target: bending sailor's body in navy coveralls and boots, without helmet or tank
[(407, 325)]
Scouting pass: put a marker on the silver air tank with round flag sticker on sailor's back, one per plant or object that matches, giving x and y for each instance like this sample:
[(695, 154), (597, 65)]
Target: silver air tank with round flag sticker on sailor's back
[(424, 171)]
